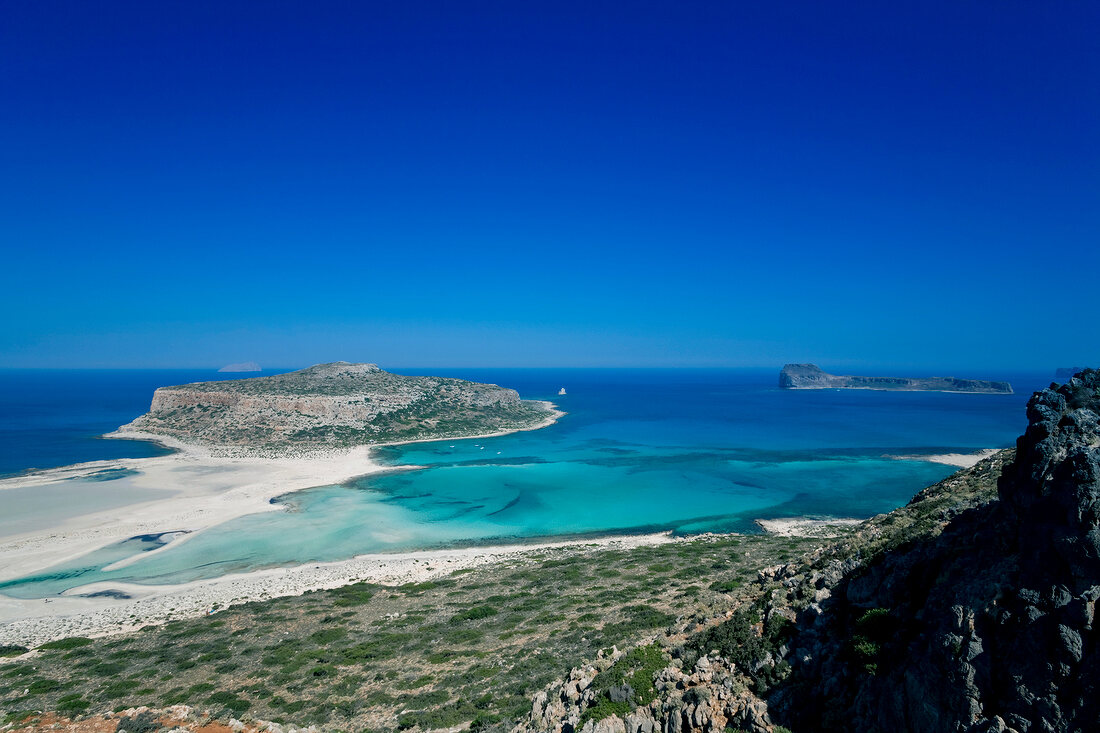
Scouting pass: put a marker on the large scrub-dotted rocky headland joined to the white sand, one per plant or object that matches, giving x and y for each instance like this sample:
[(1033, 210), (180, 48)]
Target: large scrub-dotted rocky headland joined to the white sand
[(336, 406)]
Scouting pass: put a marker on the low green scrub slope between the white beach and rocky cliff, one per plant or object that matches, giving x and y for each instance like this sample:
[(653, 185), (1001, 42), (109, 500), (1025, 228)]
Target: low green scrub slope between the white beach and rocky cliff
[(470, 649)]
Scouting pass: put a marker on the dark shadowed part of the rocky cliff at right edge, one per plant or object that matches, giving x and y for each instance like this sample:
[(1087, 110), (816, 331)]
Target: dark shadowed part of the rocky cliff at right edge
[(989, 626)]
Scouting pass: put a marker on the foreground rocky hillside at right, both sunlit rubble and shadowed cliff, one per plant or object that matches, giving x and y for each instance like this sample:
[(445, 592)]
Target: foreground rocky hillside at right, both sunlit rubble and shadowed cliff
[(973, 609)]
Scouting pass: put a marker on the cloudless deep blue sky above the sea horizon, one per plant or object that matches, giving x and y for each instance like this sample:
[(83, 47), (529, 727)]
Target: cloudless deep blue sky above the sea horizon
[(879, 185)]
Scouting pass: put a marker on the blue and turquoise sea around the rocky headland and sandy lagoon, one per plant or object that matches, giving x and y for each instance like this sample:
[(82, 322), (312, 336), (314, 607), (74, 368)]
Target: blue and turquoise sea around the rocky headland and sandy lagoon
[(640, 451)]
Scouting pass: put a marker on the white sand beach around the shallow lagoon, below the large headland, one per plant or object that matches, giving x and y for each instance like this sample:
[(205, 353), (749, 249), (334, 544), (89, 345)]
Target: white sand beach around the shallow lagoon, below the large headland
[(202, 488)]
